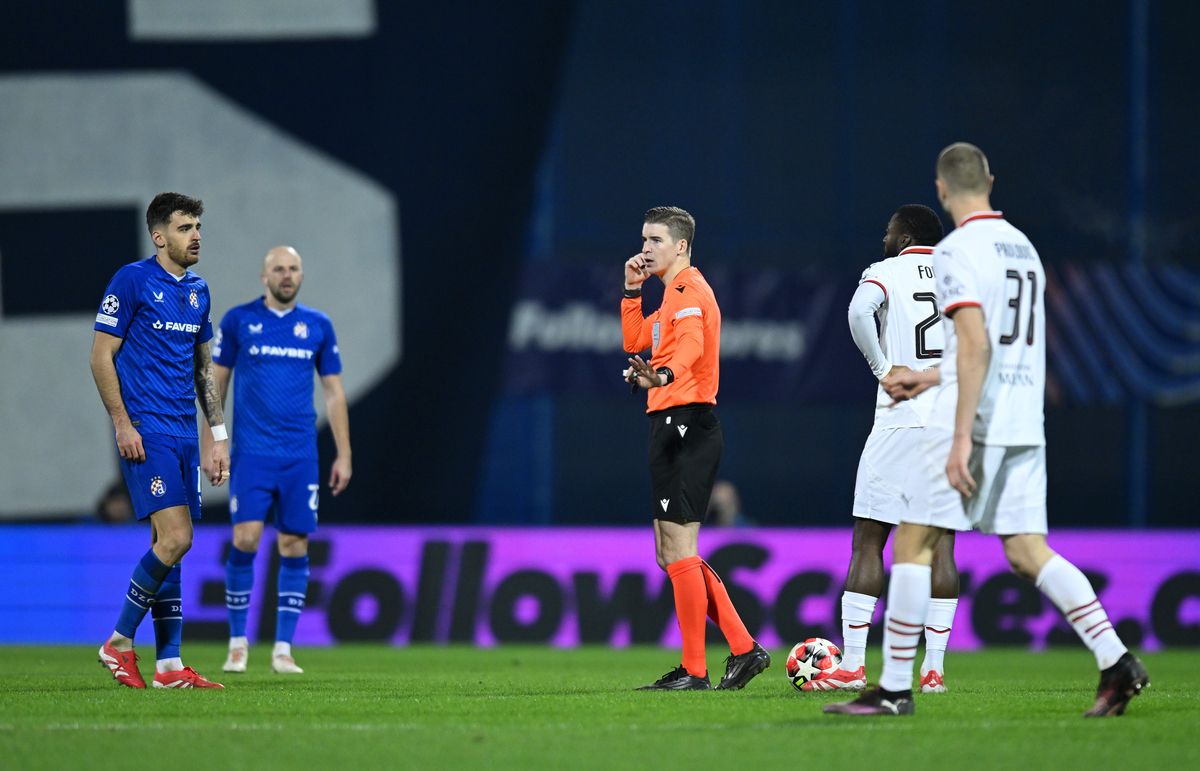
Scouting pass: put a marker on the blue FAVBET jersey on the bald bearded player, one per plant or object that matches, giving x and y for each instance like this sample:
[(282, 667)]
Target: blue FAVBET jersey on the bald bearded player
[(274, 358)]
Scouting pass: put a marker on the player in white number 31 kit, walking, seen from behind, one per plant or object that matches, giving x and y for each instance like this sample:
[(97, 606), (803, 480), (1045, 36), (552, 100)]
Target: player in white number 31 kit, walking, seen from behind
[(983, 456)]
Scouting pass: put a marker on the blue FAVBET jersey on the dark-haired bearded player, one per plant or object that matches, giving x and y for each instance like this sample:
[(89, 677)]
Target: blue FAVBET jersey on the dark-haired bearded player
[(161, 319)]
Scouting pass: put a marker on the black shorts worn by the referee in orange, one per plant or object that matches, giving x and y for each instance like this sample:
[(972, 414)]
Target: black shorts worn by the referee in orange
[(686, 450)]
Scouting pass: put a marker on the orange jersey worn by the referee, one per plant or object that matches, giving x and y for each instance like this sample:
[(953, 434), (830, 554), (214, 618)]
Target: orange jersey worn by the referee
[(686, 336)]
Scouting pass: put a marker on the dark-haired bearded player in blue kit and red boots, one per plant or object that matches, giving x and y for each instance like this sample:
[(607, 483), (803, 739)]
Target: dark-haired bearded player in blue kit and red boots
[(151, 360)]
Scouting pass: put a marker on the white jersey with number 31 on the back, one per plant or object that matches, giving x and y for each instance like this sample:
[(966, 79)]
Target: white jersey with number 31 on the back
[(991, 265)]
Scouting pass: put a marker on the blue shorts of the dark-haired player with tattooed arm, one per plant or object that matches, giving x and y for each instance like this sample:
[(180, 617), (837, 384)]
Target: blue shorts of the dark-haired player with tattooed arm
[(169, 477)]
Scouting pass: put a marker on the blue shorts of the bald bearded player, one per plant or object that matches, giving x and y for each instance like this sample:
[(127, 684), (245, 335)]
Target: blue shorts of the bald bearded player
[(291, 485)]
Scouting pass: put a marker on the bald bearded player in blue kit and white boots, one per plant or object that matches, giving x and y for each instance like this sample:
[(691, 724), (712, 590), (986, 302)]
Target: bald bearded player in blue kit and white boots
[(277, 345)]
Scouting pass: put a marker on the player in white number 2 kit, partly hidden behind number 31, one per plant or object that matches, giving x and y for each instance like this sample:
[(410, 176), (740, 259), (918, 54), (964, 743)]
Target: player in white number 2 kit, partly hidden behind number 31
[(899, 291)]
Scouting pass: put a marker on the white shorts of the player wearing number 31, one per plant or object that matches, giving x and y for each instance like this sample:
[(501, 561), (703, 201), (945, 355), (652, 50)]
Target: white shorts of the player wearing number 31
[(1011, 494)]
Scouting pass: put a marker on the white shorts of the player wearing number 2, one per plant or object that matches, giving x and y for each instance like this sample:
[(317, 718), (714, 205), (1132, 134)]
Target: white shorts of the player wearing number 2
[(889, 458)]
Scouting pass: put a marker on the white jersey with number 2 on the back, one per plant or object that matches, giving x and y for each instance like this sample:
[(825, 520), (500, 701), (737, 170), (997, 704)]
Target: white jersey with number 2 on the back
[(910, 330)]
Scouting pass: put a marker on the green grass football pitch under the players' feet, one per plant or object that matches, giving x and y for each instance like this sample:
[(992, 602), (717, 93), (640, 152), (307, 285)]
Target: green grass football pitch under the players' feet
[(536, 708)]
